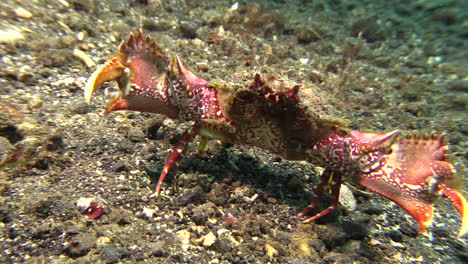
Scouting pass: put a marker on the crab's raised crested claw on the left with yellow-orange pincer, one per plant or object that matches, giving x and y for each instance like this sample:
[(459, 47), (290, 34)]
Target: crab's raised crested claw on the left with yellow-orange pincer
[(141, 71)]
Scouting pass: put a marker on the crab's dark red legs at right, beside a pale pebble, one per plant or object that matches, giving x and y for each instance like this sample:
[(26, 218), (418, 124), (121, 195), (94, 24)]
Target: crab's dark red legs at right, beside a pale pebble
[(333, 179)]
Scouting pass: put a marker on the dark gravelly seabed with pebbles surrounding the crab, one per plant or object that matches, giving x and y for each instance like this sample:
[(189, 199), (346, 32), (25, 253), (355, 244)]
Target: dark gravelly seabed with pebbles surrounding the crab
[(380, 65)]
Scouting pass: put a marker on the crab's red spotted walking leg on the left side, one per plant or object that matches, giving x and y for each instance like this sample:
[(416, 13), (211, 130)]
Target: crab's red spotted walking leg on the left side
[(178, 151)]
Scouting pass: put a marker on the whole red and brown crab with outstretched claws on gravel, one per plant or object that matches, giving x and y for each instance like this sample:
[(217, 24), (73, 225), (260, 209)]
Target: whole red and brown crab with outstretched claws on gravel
[(409, 170)]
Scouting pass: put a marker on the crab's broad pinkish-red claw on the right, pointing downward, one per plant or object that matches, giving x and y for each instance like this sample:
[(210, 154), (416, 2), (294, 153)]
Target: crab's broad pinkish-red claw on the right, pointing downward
[(413, 174)]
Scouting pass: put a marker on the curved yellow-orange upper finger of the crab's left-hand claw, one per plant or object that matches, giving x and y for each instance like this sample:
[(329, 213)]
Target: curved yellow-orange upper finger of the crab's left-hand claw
[(111, 70)]
